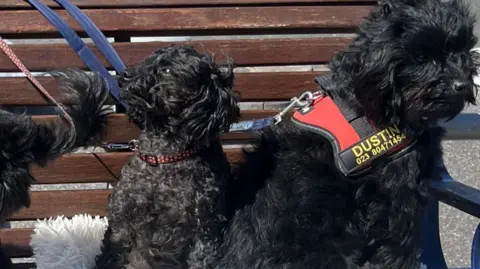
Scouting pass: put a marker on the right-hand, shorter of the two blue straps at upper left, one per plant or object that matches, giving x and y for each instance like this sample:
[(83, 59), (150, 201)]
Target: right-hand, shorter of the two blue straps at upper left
[(95, 34)]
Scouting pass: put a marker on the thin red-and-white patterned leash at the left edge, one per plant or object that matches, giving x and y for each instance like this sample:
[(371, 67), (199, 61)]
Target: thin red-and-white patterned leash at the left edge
[(14, 58)]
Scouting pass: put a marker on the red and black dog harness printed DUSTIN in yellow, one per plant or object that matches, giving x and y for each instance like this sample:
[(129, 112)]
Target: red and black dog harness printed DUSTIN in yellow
[(356, 143)]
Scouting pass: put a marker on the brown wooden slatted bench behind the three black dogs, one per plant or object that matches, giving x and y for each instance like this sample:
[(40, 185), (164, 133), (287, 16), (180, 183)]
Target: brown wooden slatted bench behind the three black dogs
[(265, 37)]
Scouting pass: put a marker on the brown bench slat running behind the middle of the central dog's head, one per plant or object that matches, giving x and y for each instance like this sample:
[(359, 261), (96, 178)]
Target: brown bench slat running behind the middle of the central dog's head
[(276, 86)]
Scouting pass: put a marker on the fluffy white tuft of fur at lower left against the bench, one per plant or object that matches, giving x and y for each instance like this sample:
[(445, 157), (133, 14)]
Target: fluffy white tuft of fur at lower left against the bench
[(63, 243)]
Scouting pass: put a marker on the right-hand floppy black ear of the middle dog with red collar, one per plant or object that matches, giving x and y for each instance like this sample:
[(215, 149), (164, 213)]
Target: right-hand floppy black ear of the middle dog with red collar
[(216, 103)]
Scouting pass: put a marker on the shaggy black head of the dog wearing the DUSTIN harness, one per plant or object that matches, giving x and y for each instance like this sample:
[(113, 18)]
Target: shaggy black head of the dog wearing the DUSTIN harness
[(412, 63)]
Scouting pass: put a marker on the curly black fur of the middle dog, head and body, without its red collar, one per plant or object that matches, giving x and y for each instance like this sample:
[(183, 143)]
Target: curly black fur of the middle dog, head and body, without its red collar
[(172, 215)]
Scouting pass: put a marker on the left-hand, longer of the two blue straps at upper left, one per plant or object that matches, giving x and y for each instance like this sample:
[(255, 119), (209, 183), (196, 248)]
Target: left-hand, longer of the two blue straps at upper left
[(83, 51)]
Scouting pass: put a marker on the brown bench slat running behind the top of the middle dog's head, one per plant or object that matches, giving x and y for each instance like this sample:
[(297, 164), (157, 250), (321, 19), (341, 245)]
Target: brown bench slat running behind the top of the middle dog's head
[(245, 52)]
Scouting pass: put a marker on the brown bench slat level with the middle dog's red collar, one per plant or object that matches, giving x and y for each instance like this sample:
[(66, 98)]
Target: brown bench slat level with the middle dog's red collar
[(90, 168)]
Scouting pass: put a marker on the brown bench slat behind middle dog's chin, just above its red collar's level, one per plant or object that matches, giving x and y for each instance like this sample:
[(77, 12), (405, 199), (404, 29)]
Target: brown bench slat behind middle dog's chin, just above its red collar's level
[(120, 130)]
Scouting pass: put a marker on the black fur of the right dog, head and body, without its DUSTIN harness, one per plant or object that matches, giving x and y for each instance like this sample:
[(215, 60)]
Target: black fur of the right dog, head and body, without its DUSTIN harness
[(410, 65)]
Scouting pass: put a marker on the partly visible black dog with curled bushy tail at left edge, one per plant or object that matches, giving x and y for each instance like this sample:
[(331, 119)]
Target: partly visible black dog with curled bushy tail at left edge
[(24, 142)]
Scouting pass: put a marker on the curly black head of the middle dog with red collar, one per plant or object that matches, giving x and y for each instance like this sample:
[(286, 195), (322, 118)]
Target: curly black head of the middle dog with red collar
[(178, 93)]
